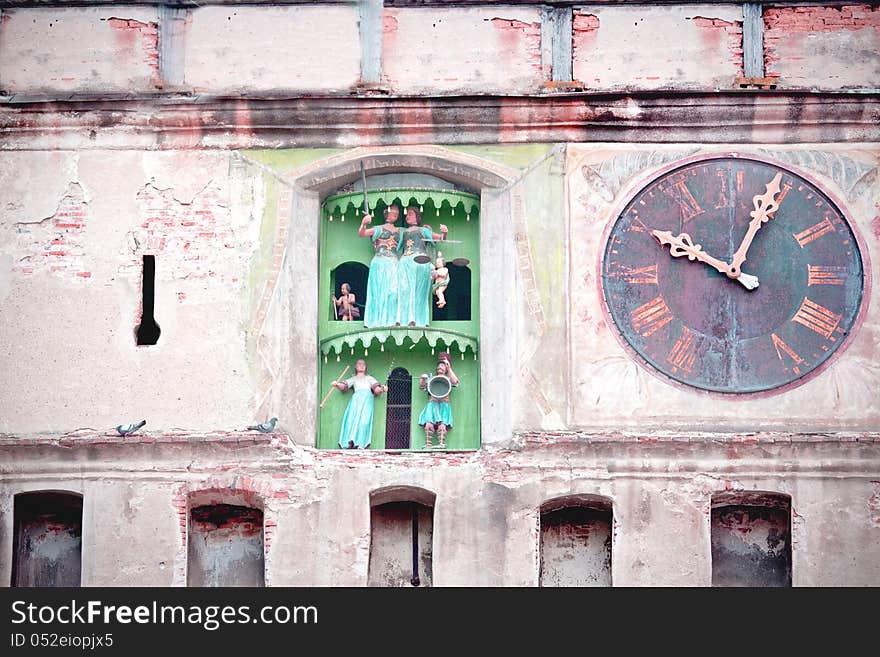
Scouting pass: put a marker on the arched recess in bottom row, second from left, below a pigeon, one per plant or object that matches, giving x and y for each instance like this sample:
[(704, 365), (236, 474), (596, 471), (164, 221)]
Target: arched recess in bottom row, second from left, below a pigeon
[(225, 546)]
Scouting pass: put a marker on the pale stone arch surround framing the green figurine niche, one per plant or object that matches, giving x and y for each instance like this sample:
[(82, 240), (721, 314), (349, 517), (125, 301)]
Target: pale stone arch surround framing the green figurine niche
[(287, 319)]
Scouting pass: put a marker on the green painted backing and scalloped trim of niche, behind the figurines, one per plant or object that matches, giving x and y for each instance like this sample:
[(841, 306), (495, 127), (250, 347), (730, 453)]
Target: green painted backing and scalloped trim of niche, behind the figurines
[(345, 257)]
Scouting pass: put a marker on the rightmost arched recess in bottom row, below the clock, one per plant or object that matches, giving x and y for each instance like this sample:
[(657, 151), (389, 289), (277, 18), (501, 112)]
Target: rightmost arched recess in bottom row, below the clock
[(751, 539)]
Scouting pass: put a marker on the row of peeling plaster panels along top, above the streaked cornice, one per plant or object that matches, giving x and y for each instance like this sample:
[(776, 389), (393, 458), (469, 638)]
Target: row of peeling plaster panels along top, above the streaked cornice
[(219, 50)]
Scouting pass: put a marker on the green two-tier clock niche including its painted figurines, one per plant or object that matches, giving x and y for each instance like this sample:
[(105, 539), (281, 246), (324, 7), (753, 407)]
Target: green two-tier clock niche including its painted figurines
[(415, 310)]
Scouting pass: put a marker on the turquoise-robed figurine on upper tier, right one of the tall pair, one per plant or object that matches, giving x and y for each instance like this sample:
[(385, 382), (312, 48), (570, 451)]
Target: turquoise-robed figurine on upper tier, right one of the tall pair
[(414, 278)]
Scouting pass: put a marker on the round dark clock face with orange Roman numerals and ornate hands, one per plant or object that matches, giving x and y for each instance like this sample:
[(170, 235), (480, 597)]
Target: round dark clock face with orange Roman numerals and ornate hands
[(677, 300)]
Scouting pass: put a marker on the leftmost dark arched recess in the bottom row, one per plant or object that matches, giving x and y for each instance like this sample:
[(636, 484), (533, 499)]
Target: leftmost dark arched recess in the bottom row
[(47, 540)]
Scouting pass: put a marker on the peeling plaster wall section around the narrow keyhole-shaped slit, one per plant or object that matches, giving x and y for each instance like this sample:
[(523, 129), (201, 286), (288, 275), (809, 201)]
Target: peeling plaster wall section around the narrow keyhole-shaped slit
[(74, 239)]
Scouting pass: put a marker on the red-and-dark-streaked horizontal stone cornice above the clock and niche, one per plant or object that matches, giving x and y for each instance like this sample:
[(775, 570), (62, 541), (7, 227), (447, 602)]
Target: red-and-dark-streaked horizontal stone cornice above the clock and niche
[(175, 121)]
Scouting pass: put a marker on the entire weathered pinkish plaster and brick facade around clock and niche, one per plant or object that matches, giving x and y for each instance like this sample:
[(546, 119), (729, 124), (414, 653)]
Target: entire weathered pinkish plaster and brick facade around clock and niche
[(237, 270)]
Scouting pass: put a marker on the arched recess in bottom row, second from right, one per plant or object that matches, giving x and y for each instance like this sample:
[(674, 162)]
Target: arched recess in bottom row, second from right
[(575, 542)]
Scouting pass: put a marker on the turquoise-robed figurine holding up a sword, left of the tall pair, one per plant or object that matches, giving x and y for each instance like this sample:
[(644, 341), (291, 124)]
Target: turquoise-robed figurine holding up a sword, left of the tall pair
[(381, 308)]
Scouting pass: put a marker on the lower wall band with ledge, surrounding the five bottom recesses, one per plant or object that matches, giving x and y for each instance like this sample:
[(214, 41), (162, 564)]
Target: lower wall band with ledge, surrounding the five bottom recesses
[(317, 504)]
